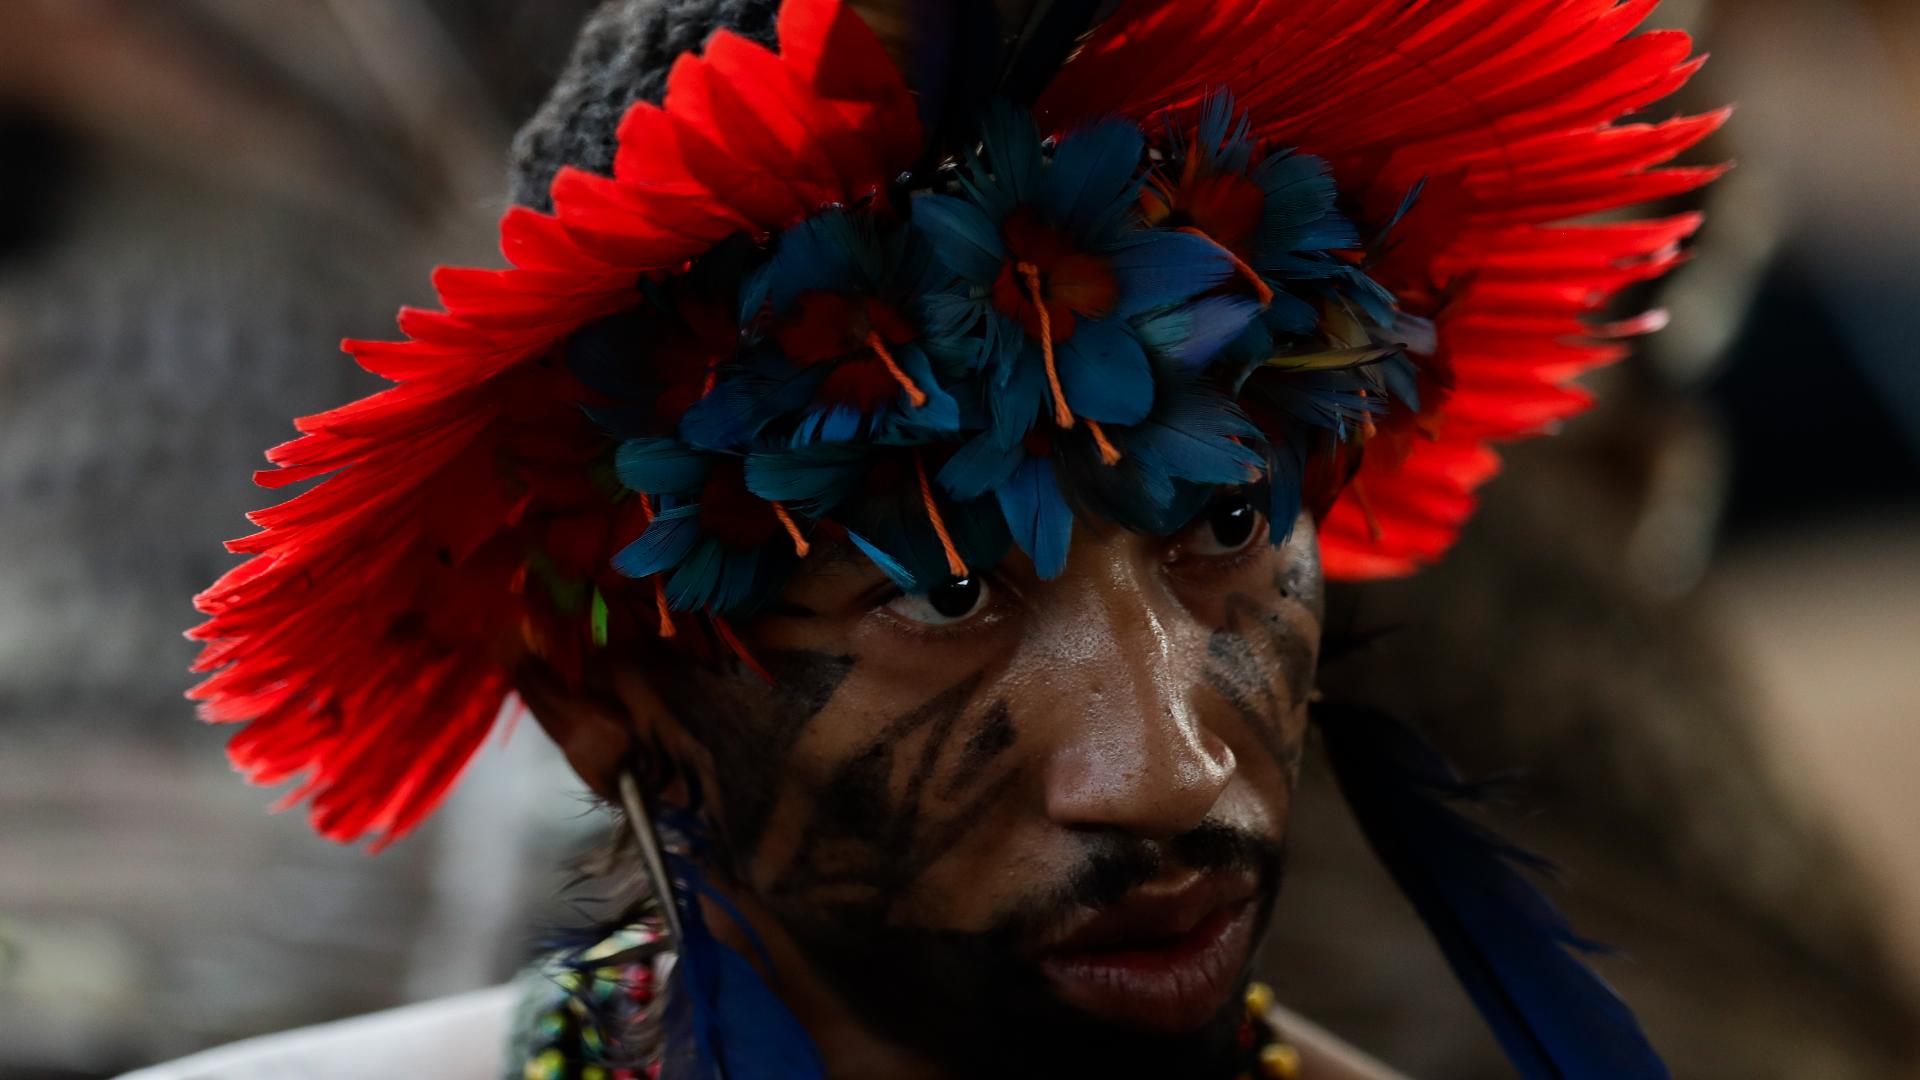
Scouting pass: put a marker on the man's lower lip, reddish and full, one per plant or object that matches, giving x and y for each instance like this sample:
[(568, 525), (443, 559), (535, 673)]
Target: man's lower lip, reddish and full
[(1170, 987)]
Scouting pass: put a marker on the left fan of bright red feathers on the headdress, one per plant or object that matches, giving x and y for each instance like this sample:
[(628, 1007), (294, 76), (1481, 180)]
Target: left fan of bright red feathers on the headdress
[(368, 645)]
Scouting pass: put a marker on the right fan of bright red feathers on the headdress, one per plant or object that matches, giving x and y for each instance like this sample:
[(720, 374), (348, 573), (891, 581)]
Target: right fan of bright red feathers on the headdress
[(1510, 112)]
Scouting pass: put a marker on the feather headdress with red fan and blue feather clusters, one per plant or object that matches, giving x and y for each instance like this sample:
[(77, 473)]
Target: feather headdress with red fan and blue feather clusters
[(1332, 253)]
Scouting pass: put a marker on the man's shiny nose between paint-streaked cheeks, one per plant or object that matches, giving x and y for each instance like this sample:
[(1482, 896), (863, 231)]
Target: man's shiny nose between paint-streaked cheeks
[(1132, 752)]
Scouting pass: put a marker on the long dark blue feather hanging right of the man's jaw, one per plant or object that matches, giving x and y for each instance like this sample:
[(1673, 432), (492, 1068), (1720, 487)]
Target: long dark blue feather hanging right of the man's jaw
[(1506, 943)]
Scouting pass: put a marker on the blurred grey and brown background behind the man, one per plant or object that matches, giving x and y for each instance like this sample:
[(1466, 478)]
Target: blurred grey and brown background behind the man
[(1692, 622)]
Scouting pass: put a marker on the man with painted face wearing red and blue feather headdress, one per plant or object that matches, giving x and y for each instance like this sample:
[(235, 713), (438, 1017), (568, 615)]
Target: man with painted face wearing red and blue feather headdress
[(898, 474)]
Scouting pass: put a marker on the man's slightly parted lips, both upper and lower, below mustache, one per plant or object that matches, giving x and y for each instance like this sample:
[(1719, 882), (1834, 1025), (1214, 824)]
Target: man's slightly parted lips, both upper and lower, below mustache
[(1163, 960)]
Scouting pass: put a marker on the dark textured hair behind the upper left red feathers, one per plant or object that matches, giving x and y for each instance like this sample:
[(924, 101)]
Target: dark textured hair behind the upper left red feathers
[(621, 57)]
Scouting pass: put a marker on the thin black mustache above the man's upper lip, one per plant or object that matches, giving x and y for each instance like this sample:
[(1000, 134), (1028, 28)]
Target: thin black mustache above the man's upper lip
[(1118, 864)]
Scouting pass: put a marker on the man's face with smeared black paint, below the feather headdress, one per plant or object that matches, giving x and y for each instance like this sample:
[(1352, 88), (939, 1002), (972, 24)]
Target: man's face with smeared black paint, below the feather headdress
[(1024, 827)]
